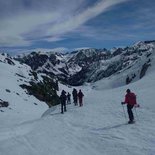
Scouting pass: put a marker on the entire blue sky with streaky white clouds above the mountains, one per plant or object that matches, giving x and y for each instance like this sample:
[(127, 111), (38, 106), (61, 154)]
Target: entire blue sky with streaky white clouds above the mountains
[(70, 24)]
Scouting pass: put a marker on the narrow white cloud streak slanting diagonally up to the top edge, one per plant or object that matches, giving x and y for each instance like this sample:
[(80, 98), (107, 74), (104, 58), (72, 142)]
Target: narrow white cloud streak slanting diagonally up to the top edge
[(79, 19)]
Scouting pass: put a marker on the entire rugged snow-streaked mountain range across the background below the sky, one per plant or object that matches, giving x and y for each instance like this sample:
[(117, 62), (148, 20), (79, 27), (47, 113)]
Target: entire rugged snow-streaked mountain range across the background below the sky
[(91, 65)]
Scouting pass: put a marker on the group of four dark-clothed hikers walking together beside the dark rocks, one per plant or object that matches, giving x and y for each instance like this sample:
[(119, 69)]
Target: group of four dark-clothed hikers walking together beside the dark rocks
[(66, 99)]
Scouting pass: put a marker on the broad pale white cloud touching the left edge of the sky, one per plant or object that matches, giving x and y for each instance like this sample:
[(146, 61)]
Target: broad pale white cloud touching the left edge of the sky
[(12, 33)]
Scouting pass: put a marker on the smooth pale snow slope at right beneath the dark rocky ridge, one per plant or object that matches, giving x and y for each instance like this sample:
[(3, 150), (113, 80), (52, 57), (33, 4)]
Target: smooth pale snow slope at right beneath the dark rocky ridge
[(134, 71)]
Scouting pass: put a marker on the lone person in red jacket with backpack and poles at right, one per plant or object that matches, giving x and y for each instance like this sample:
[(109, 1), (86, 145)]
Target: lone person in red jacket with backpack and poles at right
[(130, 100)]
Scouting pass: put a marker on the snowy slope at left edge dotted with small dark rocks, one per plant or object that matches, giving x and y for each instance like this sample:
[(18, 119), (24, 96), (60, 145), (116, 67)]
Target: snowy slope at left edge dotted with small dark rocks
[(22, 106)]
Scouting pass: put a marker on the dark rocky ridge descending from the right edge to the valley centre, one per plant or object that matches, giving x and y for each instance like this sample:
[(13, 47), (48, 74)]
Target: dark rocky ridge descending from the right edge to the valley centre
[(132, 61)]
